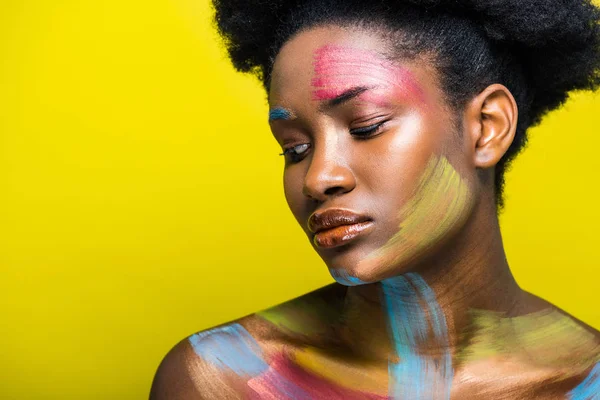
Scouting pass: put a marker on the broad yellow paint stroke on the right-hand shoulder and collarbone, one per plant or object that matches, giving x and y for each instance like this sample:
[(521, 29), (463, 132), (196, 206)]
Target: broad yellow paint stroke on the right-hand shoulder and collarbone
[(546, 339)]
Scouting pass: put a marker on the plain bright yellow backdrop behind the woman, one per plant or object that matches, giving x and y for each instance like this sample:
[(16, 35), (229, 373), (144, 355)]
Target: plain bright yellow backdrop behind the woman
[(141, 197)]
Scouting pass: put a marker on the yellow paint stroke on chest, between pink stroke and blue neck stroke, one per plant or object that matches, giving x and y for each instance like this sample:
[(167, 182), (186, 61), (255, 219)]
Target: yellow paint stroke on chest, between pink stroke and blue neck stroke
[(359, 376)]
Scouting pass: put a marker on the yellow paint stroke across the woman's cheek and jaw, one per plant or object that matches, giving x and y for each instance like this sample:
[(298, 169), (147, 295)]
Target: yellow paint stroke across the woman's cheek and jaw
[(441, 202)]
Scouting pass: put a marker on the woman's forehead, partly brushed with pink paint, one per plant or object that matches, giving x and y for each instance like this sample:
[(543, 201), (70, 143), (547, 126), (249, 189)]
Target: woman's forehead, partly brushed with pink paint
[(318, 63)]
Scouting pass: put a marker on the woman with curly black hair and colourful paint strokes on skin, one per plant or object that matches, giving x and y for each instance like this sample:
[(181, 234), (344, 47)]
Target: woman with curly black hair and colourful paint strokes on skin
[(397, 120)]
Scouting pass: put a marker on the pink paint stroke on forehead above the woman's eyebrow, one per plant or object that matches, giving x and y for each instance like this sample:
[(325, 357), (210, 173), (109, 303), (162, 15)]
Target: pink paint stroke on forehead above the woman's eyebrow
[(340, 68)]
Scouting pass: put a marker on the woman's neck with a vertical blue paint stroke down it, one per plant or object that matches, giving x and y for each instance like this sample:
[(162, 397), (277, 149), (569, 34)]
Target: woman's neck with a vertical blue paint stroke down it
[(425, 311)]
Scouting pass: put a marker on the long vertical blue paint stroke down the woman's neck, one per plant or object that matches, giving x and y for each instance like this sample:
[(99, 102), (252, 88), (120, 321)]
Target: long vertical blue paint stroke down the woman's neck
[(415, 376)]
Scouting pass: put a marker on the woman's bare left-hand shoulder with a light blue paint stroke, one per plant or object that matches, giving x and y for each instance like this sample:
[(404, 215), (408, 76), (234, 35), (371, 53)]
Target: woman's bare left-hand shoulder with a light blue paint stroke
[(220, 362)]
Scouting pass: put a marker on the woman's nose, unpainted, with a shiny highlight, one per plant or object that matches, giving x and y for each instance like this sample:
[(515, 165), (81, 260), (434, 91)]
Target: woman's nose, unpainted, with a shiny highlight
[(328, 174)]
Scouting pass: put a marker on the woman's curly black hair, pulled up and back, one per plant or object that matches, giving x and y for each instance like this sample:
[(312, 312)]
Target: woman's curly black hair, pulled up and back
[(539, 49)]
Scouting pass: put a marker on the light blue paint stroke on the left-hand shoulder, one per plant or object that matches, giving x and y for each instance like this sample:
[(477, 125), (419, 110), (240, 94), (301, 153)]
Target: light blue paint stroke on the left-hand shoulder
[(230, 347)]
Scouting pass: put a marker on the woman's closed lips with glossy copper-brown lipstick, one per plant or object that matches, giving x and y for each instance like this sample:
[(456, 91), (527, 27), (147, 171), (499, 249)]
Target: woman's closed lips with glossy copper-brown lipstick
[(335, 227)]
